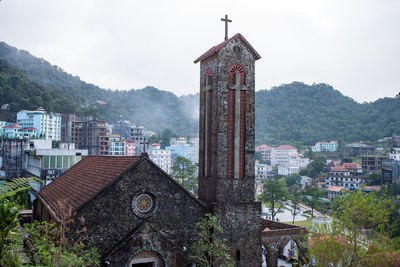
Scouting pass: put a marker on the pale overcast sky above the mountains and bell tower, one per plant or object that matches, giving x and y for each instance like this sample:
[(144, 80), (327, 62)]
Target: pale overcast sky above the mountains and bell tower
[(353, 45)]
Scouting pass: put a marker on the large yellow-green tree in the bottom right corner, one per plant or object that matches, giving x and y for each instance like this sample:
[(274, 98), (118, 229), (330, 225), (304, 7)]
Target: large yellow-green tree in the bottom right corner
[(357, 235)]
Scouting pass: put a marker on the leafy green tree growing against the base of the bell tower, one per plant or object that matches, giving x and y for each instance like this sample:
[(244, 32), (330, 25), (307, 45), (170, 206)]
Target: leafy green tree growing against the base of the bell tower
[(210, 247)]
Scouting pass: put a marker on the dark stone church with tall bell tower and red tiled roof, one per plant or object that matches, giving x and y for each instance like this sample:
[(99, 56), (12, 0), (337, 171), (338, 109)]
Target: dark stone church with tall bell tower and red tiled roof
[(137, 215)]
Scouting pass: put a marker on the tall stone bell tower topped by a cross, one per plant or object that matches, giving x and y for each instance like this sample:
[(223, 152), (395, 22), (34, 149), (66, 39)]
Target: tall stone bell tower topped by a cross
[(226, 148)]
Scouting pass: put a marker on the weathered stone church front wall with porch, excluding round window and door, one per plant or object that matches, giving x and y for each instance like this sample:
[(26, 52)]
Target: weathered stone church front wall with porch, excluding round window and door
[(120, 232)]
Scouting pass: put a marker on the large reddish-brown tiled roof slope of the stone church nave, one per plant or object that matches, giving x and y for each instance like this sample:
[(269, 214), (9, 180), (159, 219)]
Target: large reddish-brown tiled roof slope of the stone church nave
[(84, 180)]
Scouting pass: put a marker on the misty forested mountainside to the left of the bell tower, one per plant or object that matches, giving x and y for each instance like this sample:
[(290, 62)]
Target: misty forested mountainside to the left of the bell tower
[(150, 107)]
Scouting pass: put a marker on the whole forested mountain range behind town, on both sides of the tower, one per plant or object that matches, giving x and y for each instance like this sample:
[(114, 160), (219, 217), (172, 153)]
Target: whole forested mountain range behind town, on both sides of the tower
[(294, 113)]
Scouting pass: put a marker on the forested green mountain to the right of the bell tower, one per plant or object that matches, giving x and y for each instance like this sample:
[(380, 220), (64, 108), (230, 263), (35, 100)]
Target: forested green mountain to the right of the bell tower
[(301, 113)]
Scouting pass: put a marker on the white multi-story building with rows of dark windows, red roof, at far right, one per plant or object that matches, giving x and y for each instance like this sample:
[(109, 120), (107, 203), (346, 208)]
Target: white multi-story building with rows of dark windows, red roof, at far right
[(341, 176)]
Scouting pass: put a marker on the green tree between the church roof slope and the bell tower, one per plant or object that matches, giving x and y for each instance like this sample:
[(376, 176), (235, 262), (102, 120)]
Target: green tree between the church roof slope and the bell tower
[(184, 172)]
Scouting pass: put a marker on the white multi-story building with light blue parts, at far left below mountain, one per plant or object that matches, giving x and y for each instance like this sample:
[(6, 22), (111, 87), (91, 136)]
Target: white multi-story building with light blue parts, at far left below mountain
[(47, 124)]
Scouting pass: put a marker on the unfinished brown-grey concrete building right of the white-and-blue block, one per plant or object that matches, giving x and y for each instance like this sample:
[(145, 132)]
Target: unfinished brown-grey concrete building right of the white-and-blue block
[(85, 133)]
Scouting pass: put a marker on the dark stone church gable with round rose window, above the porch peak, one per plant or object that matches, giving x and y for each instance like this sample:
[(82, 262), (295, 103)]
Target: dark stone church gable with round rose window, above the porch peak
[(143, 194)]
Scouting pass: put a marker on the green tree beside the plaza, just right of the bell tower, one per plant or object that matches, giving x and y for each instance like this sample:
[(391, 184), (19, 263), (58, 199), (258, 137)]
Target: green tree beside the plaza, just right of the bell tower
[(275, 193)]
